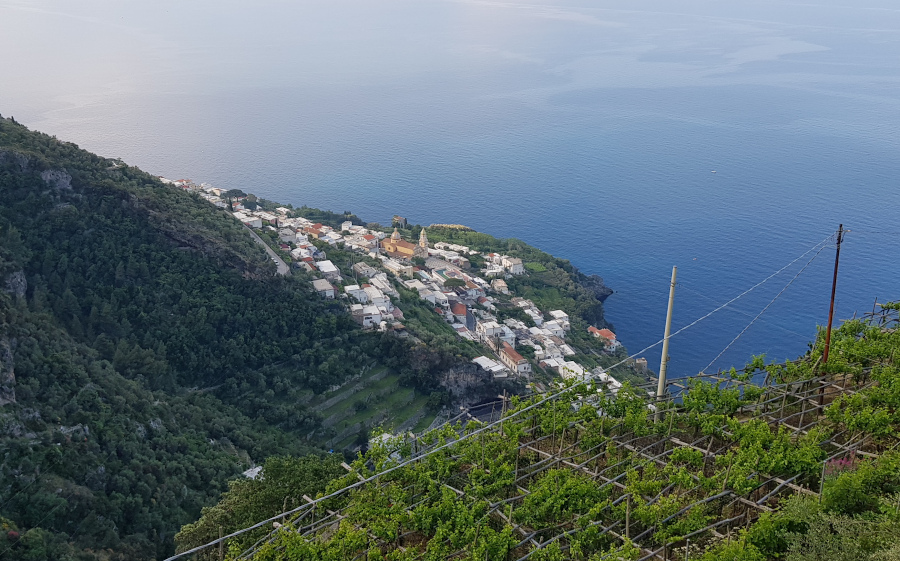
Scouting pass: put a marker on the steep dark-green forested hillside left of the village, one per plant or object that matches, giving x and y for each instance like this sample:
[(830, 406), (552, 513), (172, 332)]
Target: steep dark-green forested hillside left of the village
[(147, 354)]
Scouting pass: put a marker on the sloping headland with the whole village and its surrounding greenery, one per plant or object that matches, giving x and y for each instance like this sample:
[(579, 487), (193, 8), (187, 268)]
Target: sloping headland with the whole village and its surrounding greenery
[(510, 309)]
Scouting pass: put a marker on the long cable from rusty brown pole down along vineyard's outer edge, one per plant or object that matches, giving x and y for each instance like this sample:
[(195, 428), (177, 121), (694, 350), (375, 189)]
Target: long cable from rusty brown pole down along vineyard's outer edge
[(478, 431)]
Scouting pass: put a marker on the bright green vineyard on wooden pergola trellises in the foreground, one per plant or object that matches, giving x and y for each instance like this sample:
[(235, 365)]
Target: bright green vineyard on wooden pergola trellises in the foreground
[(587, 474)]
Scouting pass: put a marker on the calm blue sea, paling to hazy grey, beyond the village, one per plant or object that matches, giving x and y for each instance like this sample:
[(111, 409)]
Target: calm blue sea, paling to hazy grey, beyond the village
[(729, 139)]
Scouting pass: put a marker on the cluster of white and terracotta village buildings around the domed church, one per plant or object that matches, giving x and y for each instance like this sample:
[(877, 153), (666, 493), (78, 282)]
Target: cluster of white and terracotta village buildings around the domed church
[(442, 276)]
